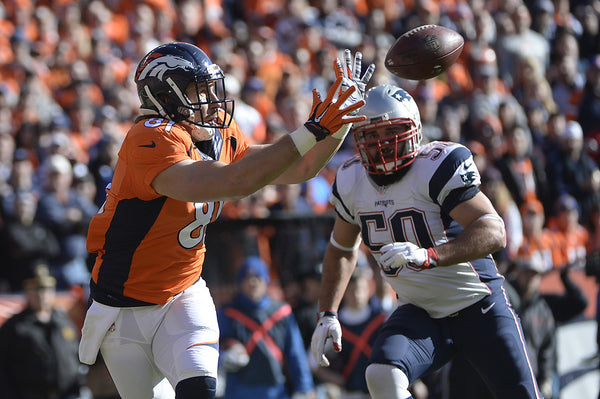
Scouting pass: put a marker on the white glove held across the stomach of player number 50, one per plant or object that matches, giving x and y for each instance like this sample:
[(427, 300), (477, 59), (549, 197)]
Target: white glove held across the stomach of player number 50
[(398, 254)]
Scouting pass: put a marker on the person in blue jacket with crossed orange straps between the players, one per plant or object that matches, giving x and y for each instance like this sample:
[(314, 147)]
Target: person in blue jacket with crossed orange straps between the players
[(268, 331)]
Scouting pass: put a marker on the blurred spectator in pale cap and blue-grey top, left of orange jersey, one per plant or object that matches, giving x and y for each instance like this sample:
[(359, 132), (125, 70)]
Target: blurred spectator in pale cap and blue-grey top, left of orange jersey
[(67, 214)]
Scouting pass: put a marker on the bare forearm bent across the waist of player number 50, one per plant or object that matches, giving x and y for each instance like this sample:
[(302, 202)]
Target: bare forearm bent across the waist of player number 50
[(481, 238)]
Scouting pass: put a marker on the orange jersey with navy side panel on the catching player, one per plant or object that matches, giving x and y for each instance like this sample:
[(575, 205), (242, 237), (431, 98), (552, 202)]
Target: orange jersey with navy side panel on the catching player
[(150, 247)]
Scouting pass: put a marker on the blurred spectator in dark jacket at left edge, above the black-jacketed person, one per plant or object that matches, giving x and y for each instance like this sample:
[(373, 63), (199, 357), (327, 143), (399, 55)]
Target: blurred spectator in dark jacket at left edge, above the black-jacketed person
[(24, 241)]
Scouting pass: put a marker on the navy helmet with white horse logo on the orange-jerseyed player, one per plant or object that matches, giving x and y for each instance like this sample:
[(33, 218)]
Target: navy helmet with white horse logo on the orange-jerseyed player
[(164, 75)]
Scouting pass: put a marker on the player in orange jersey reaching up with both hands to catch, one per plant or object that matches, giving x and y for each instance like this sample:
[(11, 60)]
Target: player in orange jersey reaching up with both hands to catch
[(152, 316)]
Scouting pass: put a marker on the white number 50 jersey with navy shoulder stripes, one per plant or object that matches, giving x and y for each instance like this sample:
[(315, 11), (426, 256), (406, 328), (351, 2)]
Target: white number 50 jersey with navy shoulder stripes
[(416, 209)]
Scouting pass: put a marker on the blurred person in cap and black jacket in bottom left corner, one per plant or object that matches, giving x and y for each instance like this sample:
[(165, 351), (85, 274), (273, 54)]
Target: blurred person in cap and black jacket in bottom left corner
[(38, 346)]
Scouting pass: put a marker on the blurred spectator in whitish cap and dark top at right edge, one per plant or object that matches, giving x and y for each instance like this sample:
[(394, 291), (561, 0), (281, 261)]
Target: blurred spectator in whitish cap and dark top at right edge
[(576, 173)]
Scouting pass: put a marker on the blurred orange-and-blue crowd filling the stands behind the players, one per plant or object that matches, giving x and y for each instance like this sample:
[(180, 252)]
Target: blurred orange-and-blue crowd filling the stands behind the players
[(524, 97)]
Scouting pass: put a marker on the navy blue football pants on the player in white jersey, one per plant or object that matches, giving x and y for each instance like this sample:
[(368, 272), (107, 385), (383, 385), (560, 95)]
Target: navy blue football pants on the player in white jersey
[(489, 336)]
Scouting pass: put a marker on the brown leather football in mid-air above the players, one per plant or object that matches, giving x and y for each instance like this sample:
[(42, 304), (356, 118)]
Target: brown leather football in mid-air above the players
[(424, 52)]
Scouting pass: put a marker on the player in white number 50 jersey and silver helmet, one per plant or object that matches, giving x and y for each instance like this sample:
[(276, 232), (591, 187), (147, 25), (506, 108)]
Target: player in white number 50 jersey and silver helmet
[(419, 210)]
